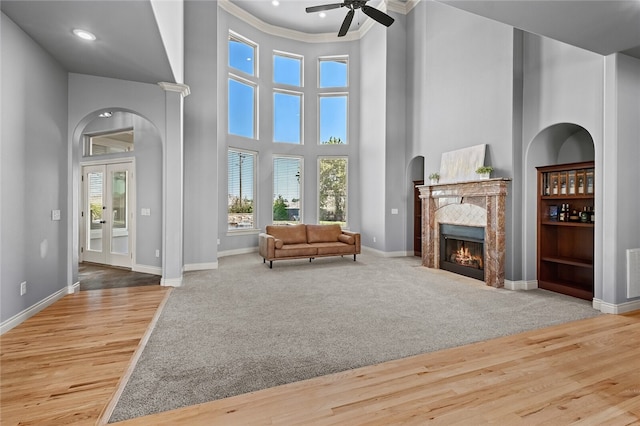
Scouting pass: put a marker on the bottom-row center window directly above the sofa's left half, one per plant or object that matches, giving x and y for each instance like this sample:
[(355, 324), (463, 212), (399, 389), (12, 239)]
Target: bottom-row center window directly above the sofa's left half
[(287, 184)]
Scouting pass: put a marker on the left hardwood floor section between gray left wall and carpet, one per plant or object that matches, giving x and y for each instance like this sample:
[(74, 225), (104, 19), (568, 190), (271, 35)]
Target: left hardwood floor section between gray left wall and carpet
[(64, 364)]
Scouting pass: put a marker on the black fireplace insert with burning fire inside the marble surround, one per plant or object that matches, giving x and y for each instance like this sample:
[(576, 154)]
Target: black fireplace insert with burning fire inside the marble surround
[(462, 250)]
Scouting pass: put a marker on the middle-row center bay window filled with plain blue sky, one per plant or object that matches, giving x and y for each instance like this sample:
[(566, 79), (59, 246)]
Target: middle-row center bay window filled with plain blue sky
[(287, 117)]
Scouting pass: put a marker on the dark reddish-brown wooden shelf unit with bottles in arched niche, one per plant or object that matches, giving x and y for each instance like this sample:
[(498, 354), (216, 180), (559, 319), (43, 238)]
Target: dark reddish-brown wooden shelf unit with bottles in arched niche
[(565, 249)]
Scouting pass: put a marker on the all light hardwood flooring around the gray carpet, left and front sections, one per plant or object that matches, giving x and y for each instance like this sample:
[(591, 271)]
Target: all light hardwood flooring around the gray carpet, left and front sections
[(64, 365)]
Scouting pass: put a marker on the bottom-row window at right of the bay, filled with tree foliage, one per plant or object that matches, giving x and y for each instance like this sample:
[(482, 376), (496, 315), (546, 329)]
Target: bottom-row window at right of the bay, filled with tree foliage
[(332, 190)]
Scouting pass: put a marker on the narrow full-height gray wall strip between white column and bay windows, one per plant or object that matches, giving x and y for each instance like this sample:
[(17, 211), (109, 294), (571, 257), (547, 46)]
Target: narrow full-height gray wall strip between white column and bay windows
[(201, 186)]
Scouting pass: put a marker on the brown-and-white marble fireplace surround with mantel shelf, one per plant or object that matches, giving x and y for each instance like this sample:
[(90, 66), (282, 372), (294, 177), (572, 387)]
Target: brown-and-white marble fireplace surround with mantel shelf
[(474, 203)]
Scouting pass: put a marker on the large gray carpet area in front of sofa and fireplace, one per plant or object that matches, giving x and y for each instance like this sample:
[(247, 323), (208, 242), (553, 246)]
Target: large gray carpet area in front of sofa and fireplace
[(244, 327)]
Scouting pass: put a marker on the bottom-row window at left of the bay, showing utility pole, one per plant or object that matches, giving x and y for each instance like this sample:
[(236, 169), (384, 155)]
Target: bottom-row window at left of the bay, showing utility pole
[(241, 177)]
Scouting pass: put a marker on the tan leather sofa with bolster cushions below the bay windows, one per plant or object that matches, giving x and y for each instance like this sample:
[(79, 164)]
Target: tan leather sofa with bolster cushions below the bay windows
[(280, 242)]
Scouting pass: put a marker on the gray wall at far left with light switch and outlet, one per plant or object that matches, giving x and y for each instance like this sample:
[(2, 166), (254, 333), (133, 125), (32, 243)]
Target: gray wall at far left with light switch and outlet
[(33, 172)]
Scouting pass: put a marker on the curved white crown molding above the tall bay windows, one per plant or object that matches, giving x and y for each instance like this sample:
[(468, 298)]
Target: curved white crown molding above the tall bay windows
[(259, 24)]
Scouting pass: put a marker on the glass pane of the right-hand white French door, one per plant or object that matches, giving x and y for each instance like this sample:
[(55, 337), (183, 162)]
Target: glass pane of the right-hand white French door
[(119, 225)]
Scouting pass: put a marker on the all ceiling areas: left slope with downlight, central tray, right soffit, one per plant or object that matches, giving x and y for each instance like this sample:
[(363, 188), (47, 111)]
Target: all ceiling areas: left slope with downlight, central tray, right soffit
[(129, 44)]
